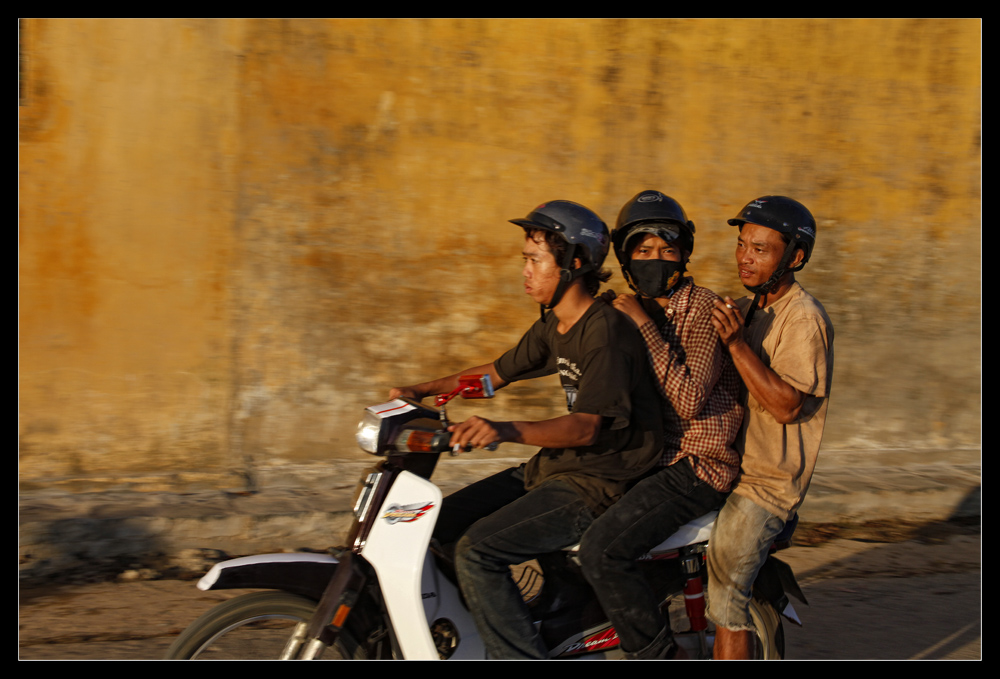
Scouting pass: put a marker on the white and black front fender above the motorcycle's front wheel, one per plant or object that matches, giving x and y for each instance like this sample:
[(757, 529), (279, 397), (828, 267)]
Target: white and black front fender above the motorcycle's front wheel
[(301, 573)]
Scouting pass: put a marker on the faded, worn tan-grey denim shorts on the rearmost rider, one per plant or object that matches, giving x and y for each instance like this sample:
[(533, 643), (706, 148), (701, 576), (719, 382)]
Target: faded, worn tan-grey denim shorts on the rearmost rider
[(738, 547)]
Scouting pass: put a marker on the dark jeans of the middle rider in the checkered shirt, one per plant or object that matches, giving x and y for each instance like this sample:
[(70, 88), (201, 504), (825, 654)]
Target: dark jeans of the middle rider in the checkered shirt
[(647, 515)]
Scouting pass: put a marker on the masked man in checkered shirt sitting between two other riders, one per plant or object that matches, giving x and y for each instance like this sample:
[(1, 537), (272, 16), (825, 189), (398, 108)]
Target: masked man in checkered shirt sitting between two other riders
[(653, 240)]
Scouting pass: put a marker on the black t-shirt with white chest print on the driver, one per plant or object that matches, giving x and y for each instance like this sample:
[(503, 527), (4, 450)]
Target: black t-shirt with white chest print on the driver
[(604, 370)]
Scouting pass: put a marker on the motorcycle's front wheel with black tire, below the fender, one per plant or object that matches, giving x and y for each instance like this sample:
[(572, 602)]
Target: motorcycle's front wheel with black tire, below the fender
[(253, 626)]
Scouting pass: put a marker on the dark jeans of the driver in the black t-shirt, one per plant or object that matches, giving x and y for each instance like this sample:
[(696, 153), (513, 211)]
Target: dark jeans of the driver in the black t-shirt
[(508, 526)]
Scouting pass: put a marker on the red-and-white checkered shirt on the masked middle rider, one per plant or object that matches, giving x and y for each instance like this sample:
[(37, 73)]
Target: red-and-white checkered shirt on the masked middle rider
[(700, 385)]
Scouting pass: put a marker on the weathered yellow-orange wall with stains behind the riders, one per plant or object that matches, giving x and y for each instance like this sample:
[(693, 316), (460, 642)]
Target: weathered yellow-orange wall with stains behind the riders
[(235, 234)]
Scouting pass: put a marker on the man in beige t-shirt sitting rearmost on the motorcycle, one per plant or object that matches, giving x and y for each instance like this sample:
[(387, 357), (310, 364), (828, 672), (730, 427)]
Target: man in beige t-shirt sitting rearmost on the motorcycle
[(781, 342)]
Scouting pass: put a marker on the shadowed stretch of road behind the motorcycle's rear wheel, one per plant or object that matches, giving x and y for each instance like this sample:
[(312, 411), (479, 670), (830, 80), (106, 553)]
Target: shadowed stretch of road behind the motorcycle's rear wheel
[(889, 601)]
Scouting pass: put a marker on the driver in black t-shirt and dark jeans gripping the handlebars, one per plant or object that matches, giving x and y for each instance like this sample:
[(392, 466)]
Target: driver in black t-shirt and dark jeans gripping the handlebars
[(612, 434)]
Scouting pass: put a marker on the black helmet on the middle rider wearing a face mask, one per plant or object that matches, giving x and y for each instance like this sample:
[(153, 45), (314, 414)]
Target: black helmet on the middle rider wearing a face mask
[(655, 213)]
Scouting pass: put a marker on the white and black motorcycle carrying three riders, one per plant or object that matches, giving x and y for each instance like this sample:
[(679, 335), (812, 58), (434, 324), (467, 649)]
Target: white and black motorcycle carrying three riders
[(391, 593)]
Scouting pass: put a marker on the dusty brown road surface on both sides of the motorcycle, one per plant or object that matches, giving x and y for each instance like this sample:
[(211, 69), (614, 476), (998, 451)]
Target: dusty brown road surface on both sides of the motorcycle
[(873, 593)]
